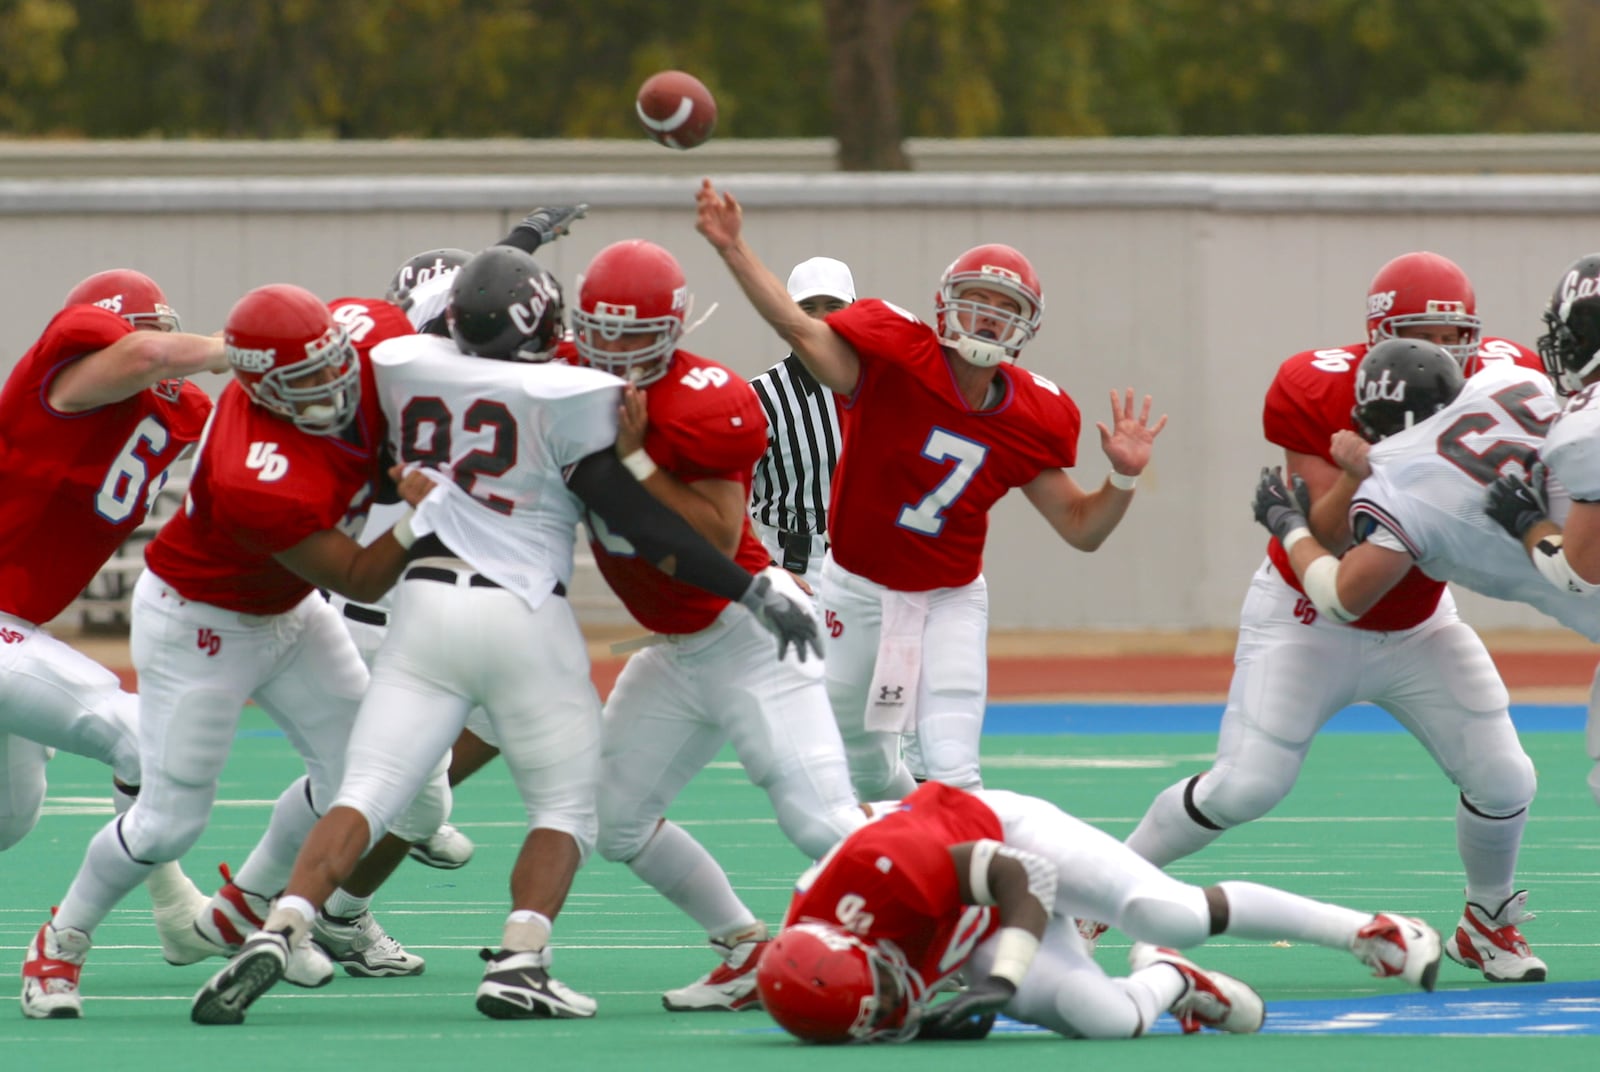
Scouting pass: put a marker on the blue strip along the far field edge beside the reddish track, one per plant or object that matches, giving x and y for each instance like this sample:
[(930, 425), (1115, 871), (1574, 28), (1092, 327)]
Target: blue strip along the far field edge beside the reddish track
[(1140, 718)]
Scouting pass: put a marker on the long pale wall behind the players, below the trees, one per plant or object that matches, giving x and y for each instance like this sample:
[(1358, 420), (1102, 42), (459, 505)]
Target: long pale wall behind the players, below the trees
[(1186, 286)]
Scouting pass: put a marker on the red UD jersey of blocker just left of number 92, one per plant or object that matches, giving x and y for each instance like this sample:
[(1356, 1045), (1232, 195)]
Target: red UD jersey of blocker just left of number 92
[(262, 487)]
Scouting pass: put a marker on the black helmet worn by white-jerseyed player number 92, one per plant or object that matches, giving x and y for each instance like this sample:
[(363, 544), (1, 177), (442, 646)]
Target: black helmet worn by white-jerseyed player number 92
[(506, 306)]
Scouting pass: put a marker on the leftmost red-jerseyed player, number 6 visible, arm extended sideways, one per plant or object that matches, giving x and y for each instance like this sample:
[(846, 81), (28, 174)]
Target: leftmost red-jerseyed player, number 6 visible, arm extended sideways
[(90, 422)]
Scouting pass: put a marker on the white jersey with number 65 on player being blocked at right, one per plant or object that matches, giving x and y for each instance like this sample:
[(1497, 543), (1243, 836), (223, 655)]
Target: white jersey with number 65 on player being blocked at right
[(1426, 494)]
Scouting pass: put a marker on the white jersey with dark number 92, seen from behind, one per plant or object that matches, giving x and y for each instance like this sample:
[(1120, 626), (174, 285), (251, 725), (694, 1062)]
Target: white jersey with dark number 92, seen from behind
[(500, 434)]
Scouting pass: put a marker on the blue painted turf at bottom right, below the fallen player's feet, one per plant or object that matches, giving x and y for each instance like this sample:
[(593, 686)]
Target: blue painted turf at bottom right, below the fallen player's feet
[(1529, 1010)]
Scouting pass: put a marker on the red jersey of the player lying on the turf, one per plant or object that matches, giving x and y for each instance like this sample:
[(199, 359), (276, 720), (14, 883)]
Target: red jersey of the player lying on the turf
[(895, 881)]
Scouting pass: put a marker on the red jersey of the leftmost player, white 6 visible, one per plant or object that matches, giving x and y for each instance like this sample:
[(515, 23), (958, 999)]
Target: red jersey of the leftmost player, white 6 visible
[(79, 484)]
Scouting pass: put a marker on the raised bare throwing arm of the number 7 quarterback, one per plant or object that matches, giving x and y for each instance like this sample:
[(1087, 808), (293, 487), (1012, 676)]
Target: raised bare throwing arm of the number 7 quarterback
[(823, 351)]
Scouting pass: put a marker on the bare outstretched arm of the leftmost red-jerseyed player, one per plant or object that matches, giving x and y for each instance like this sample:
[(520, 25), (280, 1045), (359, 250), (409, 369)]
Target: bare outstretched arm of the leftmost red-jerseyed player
[(137, 361)]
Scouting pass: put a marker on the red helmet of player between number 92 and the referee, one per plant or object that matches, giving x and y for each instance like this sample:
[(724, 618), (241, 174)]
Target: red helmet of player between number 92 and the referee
[(631, 290)]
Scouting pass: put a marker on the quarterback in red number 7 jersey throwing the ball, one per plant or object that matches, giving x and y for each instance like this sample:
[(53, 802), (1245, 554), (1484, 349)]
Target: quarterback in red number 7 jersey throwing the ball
[(938, 423)]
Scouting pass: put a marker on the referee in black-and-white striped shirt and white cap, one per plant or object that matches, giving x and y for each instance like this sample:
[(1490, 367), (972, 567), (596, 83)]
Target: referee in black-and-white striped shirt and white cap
[(791, 482)]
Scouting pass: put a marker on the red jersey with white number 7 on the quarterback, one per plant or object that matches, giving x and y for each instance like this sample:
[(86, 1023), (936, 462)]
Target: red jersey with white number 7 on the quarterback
[(919, 468)]
